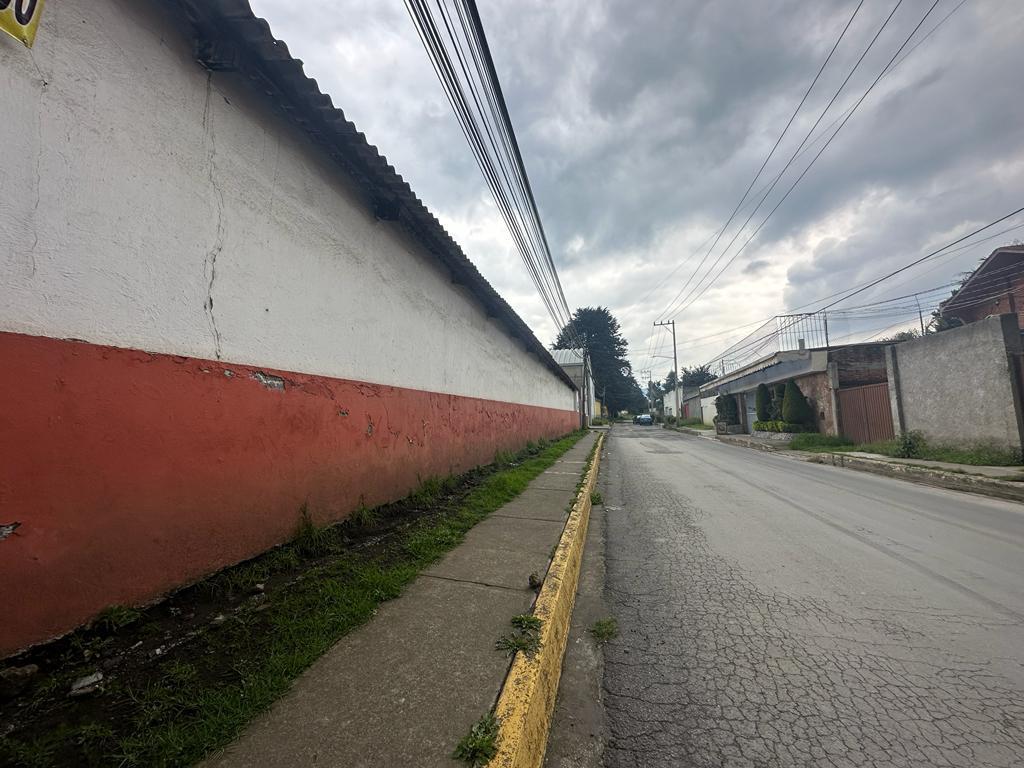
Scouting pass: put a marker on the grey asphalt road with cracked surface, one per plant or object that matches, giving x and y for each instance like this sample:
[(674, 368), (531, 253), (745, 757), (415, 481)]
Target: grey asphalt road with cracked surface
[(780, 614)]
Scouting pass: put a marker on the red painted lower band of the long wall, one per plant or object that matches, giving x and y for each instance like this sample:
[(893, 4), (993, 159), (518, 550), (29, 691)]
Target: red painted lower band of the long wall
[(134, 474)]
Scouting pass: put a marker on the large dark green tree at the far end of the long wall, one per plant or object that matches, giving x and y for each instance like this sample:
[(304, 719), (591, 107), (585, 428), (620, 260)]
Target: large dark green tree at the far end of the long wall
[(599, 331)]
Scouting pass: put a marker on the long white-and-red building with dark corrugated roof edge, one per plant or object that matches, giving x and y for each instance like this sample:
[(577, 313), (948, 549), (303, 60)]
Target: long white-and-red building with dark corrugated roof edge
[(219, 306)]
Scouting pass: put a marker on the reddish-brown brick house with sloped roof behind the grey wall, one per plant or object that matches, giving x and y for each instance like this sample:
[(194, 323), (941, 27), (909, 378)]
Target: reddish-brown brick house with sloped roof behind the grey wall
[(997, 287)]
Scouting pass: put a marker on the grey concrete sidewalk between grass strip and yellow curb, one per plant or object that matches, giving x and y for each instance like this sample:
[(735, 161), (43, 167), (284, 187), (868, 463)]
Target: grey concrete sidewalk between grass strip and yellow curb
[(407, 687)]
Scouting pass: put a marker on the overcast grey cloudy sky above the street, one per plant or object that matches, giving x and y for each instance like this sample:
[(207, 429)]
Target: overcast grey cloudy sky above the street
[(643, 124)]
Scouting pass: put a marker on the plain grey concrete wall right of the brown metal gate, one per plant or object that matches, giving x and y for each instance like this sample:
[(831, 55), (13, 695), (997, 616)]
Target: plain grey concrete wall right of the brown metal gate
[(960, 387)]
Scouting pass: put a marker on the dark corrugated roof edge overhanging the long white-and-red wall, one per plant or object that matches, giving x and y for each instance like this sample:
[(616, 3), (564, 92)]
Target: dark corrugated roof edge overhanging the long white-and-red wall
[(228, 36)]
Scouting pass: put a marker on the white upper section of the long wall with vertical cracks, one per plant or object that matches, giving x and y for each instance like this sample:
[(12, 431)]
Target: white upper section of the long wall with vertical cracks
[(146, 204)]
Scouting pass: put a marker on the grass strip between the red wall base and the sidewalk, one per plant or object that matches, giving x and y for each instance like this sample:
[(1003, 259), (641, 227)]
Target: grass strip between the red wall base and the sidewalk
[(204, 695)]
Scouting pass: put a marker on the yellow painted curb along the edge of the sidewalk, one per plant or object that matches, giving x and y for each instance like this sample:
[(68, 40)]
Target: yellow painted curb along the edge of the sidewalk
[(528, 700)]
